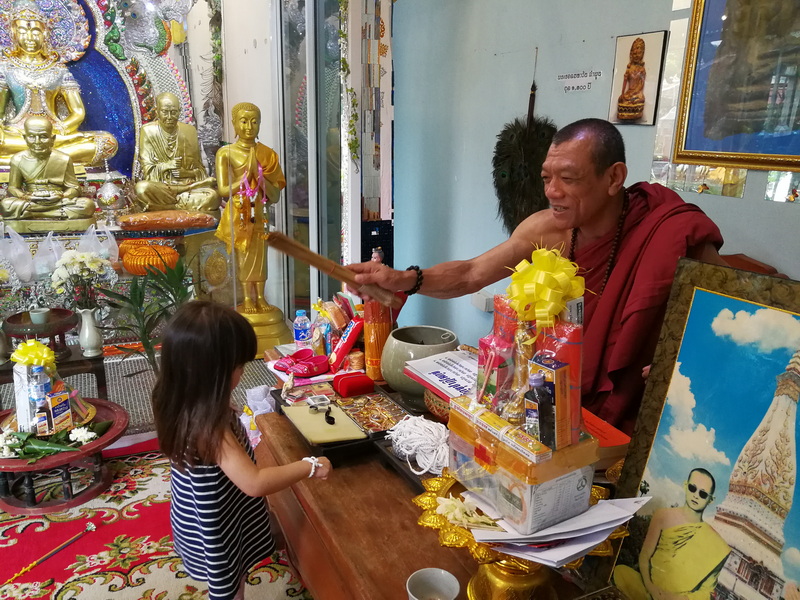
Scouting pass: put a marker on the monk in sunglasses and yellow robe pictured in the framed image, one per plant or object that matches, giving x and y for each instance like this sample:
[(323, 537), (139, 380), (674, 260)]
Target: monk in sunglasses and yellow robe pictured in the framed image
[(682, 555)]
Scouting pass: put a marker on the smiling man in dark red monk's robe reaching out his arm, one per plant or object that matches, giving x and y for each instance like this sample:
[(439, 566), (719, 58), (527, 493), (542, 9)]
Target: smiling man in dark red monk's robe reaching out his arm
[(627, 242)]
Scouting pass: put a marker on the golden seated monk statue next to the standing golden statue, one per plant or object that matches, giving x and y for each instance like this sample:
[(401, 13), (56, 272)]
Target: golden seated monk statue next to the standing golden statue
[(172, 172)]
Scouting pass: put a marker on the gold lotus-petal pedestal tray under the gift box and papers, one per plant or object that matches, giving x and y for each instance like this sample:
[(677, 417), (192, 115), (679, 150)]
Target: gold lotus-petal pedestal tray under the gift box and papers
[(500, 576)]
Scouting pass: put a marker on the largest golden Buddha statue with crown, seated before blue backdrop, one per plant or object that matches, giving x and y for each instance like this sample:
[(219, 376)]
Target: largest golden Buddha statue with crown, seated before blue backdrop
[(36, 80)]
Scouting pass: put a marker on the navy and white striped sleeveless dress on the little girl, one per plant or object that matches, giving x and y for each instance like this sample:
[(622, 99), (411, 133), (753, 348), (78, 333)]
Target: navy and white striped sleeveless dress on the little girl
[(218, 530)]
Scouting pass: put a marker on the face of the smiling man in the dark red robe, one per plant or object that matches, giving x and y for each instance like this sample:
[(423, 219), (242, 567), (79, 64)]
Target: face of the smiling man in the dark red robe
[(578, 195)]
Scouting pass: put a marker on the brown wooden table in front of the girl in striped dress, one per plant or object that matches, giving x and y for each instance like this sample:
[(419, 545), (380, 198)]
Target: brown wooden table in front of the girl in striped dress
[(354, 536)]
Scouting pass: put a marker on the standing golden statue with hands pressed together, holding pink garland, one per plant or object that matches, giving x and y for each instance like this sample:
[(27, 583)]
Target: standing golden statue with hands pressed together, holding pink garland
[(250, 176)]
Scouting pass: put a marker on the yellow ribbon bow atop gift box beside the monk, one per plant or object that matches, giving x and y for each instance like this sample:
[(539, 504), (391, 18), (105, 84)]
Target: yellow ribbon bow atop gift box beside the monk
[(541, 288)]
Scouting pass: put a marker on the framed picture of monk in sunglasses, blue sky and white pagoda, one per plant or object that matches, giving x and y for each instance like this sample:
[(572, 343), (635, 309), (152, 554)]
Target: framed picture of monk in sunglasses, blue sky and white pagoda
[(715, 444)]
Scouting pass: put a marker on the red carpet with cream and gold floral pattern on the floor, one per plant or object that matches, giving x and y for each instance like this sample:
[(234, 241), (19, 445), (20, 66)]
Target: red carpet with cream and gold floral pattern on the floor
[(128, 557)]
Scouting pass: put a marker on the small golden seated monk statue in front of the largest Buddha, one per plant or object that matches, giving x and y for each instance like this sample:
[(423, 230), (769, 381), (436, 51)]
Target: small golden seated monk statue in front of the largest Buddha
[(42, 188)]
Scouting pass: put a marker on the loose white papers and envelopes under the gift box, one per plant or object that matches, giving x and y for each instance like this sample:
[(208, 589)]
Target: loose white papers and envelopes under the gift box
[(564, 542)]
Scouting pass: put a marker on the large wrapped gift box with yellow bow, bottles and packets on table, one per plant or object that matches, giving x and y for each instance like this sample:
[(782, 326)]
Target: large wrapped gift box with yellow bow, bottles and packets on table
[(519, 443)]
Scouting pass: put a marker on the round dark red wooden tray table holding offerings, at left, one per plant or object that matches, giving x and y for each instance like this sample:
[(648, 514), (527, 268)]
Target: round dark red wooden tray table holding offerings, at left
[(18, 473)]
